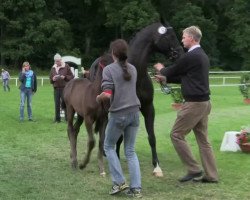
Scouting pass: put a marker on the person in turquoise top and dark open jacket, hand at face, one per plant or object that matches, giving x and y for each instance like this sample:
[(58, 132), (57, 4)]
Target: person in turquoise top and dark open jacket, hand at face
[(27, 88)]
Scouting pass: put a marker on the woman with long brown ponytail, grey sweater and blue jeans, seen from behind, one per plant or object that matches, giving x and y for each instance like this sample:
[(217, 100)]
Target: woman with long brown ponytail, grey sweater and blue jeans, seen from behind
[(119, 85)]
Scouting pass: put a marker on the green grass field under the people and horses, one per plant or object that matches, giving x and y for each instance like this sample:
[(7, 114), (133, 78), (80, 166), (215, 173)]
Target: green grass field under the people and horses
[(35, 164)]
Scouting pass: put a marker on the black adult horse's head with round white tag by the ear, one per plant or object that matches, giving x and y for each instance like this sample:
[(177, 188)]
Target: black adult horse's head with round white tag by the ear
[(166, 42)]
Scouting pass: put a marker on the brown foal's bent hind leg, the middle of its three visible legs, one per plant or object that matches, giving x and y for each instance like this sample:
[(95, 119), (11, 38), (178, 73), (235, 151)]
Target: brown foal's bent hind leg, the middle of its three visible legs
[(91, 141)]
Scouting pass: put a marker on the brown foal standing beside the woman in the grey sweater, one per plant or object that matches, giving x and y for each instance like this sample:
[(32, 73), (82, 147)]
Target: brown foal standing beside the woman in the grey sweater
[(80, 97)]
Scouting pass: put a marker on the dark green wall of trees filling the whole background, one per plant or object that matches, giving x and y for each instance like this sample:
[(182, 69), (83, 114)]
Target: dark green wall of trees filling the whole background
[(35, 30)]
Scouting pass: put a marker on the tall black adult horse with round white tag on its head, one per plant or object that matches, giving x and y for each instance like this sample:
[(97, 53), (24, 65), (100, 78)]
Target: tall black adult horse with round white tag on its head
[(155, 38)]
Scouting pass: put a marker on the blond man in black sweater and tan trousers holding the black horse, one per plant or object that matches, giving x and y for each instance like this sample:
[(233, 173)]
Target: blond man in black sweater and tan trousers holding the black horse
[(192, 71)]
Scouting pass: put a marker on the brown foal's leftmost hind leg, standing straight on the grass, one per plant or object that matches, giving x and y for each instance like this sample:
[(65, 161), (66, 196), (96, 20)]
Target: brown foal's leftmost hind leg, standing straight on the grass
[(72, 137)]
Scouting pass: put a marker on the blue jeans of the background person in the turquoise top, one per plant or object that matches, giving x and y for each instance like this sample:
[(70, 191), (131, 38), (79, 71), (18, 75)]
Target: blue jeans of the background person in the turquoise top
[(26, 93)]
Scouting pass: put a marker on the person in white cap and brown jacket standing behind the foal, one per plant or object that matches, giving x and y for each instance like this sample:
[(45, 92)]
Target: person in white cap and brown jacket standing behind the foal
[(60, 74)]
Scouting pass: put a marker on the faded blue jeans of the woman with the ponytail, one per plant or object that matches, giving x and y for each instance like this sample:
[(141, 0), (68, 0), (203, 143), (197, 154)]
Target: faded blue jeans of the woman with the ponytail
[(126, 125)]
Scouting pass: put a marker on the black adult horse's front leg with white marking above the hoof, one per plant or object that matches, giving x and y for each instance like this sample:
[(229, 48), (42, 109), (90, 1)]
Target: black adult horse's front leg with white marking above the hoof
[(149, 115)]
